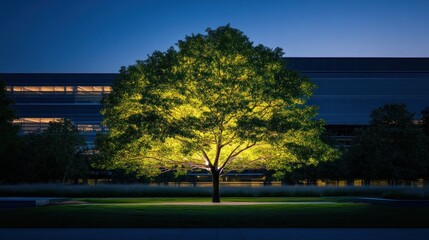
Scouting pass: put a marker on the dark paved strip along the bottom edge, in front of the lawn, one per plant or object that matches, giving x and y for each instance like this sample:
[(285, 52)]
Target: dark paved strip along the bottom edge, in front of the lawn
[(213, 234)]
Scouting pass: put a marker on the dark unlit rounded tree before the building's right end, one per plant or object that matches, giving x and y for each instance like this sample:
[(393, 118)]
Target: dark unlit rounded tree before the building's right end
[(392, 147)]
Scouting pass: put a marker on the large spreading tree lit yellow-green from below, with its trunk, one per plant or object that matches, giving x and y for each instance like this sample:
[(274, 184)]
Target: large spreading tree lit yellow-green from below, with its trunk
[(218, 103)]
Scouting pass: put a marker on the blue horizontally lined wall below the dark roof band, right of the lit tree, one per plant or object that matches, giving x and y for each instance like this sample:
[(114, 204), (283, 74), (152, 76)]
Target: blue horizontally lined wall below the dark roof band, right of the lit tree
[(350, 98)]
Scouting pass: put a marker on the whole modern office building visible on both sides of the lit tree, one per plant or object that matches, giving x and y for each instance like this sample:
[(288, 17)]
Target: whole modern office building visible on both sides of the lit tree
[(348, 90)]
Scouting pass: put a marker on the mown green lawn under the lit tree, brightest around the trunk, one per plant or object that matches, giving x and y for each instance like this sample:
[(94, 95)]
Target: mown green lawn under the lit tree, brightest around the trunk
[(126, 212)]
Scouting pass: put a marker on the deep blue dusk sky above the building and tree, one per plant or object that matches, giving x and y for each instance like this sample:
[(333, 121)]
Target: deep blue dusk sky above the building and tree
[(102, 35)]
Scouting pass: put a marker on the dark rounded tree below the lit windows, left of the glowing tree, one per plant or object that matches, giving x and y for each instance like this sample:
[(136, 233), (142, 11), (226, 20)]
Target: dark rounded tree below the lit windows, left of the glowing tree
[(55, 154)]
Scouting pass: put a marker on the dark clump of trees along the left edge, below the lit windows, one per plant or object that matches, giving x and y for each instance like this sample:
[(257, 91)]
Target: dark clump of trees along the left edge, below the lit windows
[(53, 155)]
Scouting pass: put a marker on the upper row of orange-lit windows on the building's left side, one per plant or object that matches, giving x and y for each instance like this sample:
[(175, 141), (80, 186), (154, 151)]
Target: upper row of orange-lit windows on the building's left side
[(59, 89)]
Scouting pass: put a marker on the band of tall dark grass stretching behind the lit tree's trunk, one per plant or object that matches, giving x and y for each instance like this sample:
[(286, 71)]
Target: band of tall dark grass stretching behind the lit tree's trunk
[(139, 190)]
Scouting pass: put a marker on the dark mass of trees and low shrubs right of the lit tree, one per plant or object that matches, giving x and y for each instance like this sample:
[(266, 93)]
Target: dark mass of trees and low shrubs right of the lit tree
[(393, 147)]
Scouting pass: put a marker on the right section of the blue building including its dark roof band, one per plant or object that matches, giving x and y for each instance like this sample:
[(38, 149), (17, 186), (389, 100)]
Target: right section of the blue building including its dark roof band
[(348, 89)]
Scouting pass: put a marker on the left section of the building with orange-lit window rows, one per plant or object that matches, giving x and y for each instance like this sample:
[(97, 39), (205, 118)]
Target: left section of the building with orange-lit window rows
[(43, 98)]
